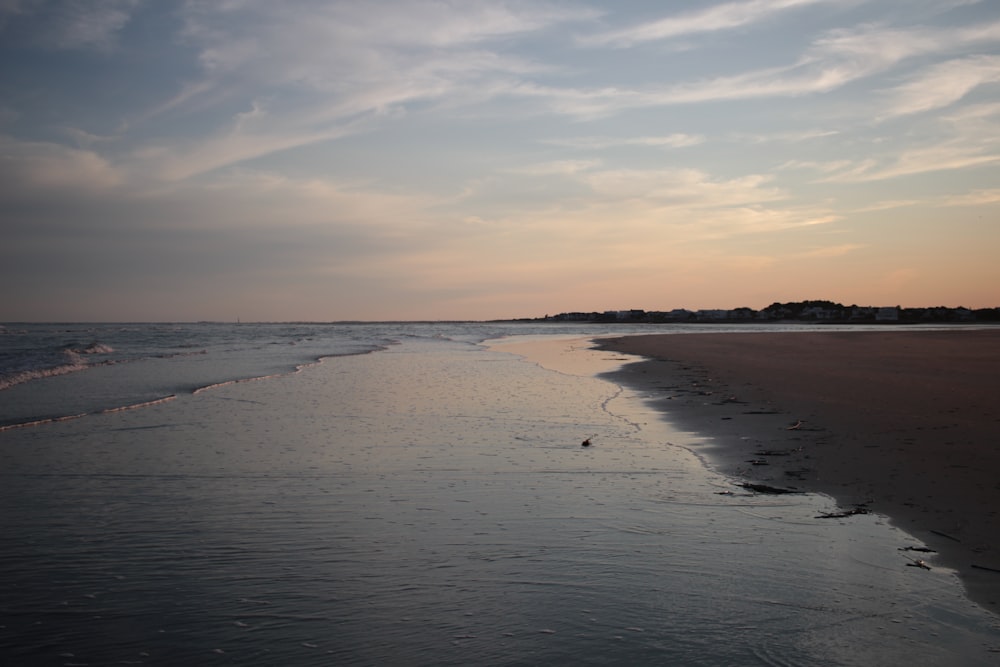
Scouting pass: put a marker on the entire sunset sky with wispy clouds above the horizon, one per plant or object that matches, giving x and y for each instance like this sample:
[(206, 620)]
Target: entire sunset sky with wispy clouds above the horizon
[(464, 159)]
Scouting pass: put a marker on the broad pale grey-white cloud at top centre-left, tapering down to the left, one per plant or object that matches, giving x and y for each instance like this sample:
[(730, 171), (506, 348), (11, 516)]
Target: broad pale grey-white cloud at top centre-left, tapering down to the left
[(328, 70)]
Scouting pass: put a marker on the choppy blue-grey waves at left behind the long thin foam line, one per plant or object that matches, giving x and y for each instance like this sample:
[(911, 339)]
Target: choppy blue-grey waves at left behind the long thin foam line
[(139, 361)]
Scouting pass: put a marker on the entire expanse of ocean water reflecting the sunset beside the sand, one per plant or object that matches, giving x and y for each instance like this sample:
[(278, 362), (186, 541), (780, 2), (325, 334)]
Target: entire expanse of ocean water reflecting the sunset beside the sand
[(413, 494)]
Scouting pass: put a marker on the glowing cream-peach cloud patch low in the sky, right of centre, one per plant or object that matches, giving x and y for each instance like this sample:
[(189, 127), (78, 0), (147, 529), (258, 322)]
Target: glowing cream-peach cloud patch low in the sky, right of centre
[(628, 214)]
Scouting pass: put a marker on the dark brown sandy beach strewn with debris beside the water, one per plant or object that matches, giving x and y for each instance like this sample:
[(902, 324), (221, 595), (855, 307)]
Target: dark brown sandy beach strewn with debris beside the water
[(901, 423)]
